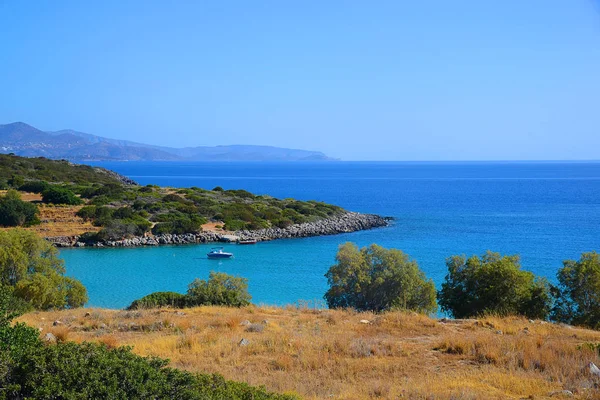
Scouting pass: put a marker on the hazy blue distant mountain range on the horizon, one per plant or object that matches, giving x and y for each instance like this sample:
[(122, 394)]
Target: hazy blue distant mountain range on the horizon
[(25, 140)]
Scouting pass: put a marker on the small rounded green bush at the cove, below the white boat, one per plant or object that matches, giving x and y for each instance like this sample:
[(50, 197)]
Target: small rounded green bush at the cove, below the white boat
[(220, 290)]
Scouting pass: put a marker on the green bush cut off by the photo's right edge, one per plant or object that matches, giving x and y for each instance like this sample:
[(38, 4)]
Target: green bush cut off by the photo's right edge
[(578, 295)]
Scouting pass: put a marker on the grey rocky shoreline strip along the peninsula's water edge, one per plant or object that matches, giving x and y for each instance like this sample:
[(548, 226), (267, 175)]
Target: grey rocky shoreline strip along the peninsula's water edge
[(345, 223)]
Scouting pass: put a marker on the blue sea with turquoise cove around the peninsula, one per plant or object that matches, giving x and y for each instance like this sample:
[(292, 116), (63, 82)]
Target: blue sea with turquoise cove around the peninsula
[(544, 211)]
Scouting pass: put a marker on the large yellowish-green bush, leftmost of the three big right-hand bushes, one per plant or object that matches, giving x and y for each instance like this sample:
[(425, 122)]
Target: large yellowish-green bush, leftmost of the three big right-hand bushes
[(378, 279)]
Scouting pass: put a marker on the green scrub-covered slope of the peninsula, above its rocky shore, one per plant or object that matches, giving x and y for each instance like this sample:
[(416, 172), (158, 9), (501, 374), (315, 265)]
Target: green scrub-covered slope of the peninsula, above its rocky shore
[(121, 210)]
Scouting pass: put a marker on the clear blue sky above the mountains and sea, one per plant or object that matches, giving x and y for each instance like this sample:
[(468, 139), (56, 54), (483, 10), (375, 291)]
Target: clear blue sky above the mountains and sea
[(358, 80)]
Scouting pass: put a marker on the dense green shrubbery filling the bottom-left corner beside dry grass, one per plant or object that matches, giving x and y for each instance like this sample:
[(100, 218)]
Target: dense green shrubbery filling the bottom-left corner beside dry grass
[(30, 369)]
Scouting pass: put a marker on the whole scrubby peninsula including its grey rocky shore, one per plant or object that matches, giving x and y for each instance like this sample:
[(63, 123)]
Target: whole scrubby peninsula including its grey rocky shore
[(79, 205)]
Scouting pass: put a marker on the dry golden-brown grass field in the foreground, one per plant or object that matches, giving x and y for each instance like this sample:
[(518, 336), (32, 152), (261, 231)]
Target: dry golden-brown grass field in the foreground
[(331, 354)]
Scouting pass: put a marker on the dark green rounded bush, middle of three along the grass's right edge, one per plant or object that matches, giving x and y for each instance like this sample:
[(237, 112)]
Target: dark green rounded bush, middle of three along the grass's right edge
[(493, 284)]
